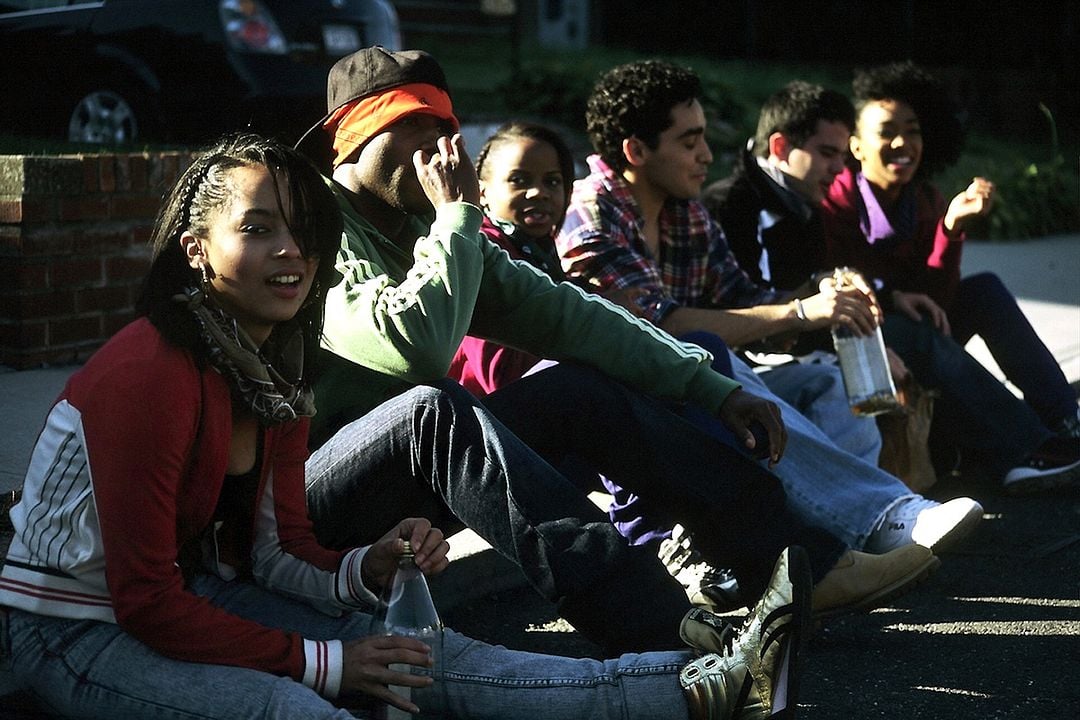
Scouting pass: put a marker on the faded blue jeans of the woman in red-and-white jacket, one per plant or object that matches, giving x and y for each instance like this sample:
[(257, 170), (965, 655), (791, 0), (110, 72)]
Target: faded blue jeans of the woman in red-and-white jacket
[(94, 670)]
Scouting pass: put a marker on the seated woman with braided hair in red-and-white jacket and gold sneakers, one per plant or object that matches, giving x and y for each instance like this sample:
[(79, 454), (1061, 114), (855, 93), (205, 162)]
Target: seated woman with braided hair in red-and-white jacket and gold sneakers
[(164, 563)]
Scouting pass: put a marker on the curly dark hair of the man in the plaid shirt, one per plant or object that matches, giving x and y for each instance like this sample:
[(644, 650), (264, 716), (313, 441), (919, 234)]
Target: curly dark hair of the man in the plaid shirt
[(637, 101)]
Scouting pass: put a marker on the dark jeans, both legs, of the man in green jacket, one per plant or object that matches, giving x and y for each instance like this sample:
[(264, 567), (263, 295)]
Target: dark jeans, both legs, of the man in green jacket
[(437, 453)]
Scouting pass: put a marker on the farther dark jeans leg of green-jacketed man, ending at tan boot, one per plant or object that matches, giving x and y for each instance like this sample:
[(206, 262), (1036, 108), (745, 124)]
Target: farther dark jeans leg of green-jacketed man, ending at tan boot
[(736, 509)]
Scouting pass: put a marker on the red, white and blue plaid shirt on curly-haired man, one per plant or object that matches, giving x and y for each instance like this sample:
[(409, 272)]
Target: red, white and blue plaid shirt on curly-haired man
[(602, 243)]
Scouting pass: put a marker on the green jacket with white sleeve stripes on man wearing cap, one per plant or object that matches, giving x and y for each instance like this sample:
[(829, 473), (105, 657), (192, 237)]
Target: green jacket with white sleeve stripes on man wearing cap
[(397, 320)]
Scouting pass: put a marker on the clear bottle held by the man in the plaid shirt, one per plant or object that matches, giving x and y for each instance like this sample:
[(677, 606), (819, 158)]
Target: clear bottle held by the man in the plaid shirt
[(863, 362)]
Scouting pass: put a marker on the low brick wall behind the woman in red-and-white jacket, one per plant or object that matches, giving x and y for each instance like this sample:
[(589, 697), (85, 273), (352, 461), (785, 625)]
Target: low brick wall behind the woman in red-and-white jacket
[(74, 233)]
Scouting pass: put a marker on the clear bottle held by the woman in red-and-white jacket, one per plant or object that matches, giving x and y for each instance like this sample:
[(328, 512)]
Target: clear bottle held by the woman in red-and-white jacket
[(407, 609)]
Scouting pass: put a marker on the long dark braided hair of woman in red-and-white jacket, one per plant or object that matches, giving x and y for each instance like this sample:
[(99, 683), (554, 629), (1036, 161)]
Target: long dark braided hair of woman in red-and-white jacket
[(204, 189)]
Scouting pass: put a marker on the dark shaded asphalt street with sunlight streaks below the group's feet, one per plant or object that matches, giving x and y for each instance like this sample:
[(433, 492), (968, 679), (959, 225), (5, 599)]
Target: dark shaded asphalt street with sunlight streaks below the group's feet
[(994, 634)]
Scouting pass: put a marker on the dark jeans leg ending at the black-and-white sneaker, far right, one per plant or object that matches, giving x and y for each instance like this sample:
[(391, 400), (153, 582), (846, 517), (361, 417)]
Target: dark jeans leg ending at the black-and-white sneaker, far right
[(976, 413)]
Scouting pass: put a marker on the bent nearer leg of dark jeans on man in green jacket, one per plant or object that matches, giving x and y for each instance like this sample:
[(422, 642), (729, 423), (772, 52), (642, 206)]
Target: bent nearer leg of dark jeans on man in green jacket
[(436, 453)]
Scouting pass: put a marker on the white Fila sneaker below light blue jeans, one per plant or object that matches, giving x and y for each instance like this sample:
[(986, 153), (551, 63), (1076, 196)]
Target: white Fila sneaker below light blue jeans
[(934, 525)]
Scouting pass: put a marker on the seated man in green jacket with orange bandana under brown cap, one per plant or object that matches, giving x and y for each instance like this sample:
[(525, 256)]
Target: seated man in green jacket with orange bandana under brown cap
[(415, 284)]
